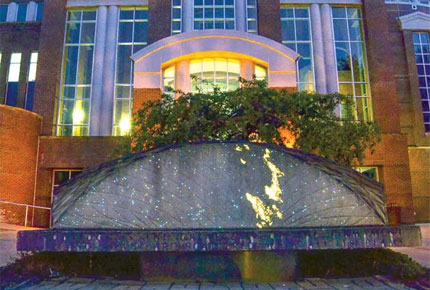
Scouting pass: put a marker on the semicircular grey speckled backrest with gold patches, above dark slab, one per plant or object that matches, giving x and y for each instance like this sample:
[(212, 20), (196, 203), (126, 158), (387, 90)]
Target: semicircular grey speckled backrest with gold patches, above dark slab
[(219, 185)]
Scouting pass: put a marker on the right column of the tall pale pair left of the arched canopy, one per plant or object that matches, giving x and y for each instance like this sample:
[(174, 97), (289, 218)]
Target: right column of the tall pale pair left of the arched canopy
[(109, 72)]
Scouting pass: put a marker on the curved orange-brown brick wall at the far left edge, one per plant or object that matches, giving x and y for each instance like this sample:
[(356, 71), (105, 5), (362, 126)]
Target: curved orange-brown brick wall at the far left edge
[(19, 130)]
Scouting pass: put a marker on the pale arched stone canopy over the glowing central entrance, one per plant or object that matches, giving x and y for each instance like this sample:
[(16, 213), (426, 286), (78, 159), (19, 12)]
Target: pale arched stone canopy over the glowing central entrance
[(280, 60)]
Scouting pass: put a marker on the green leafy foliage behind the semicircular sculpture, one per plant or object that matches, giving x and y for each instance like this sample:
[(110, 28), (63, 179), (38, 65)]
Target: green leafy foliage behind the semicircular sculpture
[(260, 114)]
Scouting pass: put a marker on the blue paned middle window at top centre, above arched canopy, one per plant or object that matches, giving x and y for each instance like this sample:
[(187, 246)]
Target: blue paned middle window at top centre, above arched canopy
[(214, 14)]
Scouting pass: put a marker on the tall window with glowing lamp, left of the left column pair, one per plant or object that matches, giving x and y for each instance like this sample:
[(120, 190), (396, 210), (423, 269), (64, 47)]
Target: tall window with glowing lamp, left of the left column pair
[(74, 102)]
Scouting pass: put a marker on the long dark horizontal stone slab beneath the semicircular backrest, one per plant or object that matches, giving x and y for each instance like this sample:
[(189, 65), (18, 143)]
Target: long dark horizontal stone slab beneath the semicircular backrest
[(274, 239)]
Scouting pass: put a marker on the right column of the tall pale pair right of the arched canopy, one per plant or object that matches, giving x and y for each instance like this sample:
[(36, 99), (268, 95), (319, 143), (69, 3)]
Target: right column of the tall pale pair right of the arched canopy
[(329, 49)]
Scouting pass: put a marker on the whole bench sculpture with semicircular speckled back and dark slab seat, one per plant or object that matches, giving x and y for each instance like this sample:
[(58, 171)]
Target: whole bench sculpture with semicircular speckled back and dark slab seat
[(233, 198)]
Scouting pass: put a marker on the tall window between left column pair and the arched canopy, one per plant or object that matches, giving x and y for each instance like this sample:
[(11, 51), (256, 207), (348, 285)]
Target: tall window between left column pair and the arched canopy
[(132, 36)]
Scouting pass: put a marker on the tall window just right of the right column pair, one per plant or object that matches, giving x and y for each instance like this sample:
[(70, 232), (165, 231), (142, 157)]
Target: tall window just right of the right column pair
[(351, 59)]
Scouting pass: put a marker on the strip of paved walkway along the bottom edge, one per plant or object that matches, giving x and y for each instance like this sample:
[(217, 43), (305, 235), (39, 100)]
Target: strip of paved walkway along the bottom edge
[(376, 282)]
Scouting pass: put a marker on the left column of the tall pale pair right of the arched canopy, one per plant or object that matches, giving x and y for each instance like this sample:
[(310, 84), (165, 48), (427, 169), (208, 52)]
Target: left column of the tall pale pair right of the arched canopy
[(318, 50)]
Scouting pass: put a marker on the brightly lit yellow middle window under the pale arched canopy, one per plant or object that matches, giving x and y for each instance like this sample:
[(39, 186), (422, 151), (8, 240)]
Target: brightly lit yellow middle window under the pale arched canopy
[(208, 73)]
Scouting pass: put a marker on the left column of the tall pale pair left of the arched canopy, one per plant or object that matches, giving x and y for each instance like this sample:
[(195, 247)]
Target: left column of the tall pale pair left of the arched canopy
[(97, 86)]
